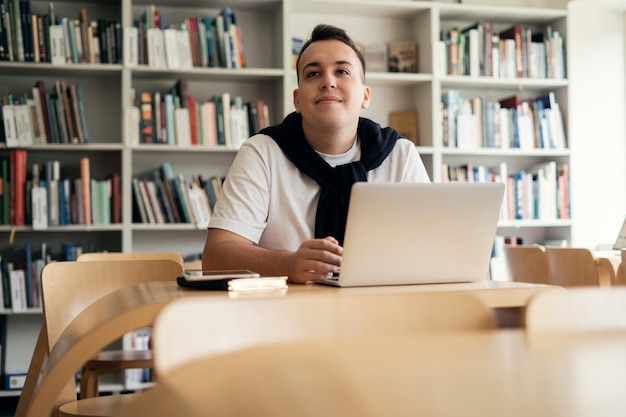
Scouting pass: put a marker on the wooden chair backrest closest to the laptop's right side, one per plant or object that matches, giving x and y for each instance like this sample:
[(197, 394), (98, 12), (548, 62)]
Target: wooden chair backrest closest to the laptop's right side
[(527, 263)]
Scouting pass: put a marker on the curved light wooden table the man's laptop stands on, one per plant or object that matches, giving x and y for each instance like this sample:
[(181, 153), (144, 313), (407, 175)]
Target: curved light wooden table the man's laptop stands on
[(118, 313)]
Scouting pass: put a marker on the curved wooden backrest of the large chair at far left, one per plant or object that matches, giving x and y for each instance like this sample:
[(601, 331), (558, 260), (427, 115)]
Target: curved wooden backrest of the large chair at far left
[(67, 288)]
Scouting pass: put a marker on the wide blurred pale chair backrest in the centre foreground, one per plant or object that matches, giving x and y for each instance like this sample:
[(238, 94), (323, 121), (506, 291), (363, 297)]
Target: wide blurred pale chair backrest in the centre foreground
[(192, 328)]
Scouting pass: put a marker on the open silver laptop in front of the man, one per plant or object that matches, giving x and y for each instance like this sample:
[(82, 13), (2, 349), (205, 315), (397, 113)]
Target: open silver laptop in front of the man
[(419, 233)]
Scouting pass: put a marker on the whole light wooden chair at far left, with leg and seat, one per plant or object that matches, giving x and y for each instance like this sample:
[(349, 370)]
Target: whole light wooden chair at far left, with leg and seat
[(67, 289)]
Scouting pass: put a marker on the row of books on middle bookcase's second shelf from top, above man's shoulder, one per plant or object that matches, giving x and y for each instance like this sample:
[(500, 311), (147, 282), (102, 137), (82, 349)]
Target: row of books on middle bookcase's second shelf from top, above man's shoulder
[(177, 118)]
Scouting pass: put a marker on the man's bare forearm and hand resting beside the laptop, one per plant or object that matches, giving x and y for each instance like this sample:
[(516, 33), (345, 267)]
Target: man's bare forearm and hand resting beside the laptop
[(315, 259)]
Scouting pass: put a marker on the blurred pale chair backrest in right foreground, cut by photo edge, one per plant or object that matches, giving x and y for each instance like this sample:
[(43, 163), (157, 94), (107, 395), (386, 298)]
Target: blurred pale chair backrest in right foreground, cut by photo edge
[(577, 309)]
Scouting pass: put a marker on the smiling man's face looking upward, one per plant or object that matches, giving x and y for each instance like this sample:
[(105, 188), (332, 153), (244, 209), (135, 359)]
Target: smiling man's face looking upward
[(331, 91)]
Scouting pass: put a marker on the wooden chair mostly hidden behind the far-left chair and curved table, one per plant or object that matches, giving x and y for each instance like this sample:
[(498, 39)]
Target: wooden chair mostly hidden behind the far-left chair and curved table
[(116, 361)]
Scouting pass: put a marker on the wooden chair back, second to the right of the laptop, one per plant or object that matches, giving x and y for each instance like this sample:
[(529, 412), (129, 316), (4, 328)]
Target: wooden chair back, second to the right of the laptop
[(577, 267)]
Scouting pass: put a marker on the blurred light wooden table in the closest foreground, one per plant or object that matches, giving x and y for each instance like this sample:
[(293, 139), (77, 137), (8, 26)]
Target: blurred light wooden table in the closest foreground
[(486, 374)]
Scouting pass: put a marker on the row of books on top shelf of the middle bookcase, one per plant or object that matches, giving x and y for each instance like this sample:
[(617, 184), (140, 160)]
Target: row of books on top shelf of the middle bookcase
[(197, 41)]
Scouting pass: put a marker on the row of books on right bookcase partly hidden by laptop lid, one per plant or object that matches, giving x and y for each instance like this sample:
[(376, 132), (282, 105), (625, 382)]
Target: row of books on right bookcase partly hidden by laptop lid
[(540, 192)]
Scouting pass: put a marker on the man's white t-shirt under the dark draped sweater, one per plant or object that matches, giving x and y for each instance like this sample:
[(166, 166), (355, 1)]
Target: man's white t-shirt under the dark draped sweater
[(267, 200)]
